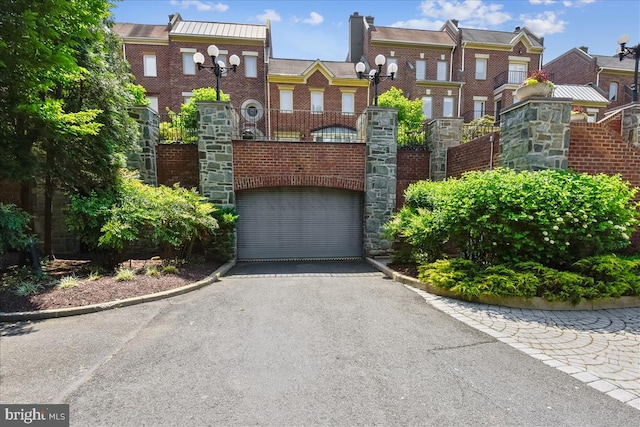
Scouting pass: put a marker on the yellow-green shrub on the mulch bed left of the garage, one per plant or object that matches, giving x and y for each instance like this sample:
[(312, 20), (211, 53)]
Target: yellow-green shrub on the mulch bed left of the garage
[(135, 214)]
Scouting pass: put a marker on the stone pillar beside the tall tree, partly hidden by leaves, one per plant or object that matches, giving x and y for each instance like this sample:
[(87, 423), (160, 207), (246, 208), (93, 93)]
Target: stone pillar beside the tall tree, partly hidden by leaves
[(143, 158)]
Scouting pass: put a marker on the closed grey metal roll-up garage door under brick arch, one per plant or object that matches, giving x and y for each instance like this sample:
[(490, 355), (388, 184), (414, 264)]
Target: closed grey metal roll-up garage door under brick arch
[(299, 223)]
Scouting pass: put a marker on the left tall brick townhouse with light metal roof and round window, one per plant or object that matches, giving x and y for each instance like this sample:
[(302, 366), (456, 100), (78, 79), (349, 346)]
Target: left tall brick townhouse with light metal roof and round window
[(161, 59)]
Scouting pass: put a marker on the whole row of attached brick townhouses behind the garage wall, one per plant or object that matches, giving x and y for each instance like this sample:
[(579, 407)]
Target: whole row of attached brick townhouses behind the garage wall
[(457, 72)]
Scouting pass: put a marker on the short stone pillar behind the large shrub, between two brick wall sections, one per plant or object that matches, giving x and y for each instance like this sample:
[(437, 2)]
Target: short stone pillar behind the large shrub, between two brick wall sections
[(441, 135)]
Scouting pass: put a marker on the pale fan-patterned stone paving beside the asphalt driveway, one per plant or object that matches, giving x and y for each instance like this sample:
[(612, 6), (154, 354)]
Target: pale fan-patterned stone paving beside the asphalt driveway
[(600, 348)]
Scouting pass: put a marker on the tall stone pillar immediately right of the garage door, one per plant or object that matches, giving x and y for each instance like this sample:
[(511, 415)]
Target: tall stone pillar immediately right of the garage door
[(380, 176)]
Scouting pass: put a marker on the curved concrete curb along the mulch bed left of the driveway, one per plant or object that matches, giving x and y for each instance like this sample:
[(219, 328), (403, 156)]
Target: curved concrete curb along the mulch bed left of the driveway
[(74, 311)]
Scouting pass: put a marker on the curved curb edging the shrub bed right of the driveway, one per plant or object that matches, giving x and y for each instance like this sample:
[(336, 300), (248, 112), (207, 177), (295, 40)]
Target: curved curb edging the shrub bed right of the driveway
[(535, 303)]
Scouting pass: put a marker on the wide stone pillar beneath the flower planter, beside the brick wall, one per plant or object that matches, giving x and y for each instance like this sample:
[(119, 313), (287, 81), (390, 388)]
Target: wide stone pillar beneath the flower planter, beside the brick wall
[(534, 134)]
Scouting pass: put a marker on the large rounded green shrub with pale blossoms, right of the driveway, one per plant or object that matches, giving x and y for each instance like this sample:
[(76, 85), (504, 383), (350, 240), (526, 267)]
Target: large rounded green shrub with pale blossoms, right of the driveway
[(500, 216)]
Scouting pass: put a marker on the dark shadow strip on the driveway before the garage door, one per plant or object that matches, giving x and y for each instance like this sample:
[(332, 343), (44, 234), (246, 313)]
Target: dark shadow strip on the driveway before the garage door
[(302, 268)]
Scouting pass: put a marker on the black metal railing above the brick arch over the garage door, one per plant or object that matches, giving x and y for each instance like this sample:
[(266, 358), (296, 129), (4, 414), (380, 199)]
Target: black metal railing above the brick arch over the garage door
[(299, 125)]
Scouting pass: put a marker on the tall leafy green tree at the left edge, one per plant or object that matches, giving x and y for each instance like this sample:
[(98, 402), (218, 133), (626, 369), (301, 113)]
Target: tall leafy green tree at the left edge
[(63, 102)]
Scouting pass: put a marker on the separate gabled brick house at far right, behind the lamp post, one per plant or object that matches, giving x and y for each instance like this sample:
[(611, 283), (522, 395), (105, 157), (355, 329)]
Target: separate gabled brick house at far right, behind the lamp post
[(613, 78)]
